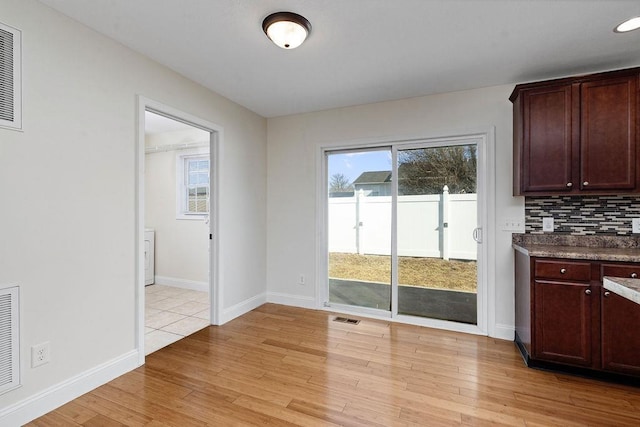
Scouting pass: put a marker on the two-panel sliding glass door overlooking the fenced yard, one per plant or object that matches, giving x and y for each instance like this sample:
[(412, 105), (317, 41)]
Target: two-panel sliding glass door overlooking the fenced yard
[(401, 222)]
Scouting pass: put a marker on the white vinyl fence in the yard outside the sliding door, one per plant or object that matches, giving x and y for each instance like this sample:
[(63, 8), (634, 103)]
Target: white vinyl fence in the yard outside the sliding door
[(433, 226)]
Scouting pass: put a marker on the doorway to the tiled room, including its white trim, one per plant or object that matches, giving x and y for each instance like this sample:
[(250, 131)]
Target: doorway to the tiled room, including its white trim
[(177, 252)]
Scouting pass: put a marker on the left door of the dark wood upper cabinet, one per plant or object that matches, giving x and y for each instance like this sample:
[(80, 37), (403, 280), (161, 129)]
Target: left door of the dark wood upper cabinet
[(547, 141)]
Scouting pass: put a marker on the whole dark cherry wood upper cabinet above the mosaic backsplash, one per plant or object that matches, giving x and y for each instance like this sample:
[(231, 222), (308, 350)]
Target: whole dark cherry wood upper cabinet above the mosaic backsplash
[(577, 135)]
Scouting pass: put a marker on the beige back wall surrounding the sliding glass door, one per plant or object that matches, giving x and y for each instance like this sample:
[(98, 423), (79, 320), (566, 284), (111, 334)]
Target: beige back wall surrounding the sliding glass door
[(292, 209)]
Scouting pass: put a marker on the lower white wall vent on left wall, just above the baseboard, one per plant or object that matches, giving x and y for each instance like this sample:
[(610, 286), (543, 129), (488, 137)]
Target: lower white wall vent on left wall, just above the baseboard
[(9, 346)]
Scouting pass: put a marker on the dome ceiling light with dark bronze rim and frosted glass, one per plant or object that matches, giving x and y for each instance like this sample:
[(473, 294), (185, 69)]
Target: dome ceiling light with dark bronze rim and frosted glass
[(286, 29)]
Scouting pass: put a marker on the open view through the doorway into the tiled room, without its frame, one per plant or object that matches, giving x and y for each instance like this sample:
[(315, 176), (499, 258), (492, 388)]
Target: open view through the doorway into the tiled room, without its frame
[(177, 192)]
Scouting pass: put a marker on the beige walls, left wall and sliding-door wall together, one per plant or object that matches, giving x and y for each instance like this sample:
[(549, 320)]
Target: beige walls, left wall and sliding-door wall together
[(76, 266)]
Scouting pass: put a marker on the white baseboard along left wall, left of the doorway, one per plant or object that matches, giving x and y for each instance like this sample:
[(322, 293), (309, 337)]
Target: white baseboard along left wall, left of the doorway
[(57, 395)]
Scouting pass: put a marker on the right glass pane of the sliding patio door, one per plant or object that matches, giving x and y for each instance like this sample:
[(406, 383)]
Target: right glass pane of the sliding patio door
[(437, 213)]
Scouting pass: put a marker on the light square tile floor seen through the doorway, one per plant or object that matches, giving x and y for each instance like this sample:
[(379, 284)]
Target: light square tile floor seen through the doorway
[(171, 314)]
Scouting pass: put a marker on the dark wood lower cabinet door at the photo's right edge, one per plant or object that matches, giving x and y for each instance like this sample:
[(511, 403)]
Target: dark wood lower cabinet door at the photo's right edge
[(620, 334)]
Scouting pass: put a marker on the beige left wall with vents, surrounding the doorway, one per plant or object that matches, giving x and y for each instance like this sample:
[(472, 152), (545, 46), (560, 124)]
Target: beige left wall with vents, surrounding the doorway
[(72, 249)]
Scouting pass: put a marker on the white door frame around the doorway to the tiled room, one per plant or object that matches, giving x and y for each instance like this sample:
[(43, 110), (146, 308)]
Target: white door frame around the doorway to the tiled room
[(215, 141)]
